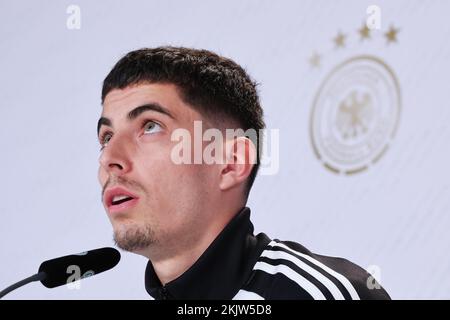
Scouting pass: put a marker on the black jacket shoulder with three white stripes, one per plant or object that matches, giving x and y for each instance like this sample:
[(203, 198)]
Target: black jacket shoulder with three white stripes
[(292, 271)]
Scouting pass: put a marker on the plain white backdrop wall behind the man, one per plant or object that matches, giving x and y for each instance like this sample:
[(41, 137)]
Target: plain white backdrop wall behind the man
[(395, 215)]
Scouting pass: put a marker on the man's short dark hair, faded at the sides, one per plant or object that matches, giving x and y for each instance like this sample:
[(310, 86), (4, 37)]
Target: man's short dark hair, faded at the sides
[(213, 85)]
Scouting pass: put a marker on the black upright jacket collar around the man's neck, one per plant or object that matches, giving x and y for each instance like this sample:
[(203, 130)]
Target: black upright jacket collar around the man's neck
[(222, 269)]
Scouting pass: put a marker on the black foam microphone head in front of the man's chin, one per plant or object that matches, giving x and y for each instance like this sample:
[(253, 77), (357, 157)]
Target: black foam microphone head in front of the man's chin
[(63, 270)]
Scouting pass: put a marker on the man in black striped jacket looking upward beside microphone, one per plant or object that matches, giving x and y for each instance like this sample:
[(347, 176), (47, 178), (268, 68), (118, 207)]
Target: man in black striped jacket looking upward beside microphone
[(190, 219)]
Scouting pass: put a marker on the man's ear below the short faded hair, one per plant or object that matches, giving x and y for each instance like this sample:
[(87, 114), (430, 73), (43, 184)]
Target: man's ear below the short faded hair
[(239, 161)]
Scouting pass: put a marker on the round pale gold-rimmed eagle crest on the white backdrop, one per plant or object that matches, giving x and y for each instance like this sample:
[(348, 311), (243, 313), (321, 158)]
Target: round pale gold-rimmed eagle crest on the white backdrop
[(355, 114)]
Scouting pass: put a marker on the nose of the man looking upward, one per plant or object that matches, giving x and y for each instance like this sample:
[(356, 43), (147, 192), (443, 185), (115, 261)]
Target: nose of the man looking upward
[(115, 157)]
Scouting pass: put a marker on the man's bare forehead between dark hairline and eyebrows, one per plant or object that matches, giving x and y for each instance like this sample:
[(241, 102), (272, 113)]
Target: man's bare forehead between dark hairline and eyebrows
[(119, 102)]
